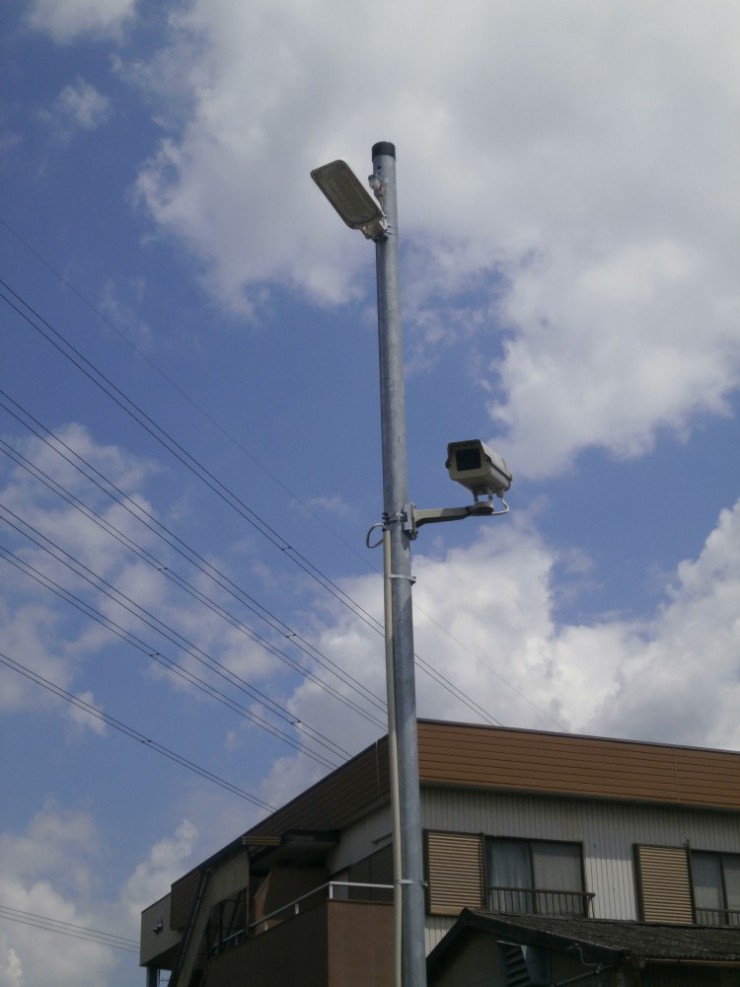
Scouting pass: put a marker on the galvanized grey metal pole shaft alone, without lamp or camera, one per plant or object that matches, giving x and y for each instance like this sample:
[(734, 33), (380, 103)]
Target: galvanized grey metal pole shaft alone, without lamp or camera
[(395, 499)]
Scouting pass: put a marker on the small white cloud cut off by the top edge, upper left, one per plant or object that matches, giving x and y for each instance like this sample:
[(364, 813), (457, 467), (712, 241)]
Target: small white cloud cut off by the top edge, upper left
[(66, 20)]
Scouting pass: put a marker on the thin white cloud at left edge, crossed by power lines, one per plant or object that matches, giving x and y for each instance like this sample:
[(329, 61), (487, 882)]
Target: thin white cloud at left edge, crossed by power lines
[(38, 632)]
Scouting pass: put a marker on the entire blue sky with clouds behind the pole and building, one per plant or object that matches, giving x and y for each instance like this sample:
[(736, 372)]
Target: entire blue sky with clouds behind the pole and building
[(190, 413)]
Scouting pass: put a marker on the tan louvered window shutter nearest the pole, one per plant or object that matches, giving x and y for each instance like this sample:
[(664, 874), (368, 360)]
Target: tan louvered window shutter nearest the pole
[(454, 872)]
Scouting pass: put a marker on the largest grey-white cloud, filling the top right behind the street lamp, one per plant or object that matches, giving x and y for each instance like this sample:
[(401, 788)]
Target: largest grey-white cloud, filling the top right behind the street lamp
[(573, 163)]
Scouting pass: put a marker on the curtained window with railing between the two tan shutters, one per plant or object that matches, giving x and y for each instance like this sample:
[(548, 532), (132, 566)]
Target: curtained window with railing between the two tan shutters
[(535, 876)]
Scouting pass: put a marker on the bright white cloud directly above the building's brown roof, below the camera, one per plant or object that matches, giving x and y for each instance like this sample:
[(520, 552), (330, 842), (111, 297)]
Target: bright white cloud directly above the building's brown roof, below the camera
[(486, 618)]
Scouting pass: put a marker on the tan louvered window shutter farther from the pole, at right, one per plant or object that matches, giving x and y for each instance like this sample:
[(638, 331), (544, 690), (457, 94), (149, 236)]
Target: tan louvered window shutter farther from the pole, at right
[(665, 885)]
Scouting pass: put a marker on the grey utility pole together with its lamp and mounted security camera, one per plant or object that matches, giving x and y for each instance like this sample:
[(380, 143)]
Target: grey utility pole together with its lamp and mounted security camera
[(472, 464)]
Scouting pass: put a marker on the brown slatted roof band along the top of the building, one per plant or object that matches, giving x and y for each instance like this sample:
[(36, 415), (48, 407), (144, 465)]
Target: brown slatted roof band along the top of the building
[(458, 755)]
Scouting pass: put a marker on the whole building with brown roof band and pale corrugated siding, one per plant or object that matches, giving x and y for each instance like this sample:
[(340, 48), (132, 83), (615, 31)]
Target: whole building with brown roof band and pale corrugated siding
[(548, 844)]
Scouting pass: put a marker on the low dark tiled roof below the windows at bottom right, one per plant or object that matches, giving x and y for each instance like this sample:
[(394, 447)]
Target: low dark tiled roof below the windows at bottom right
[(599, 940)]
